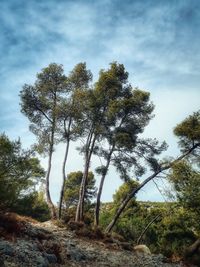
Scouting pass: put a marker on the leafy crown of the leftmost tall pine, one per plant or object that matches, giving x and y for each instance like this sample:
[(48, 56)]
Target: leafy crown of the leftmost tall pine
[(39, 103)]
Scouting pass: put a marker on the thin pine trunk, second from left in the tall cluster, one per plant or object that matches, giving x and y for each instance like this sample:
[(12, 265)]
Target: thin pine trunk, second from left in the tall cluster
[(64, 179)]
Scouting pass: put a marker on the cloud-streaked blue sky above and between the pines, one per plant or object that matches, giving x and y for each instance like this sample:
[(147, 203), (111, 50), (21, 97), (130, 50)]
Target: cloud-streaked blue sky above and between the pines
[(157, 41)]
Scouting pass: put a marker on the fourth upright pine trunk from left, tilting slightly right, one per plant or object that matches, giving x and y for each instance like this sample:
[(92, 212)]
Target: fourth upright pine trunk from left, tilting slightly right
[(98, 203)]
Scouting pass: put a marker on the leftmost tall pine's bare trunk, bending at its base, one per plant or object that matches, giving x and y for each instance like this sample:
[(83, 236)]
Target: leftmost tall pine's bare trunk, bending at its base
[(48, 196)]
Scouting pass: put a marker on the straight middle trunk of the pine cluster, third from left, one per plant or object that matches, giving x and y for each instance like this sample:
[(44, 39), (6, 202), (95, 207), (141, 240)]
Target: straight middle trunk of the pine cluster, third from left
[(80, 206)]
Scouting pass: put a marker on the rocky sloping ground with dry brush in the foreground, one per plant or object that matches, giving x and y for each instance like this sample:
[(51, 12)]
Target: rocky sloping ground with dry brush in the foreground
[(45, 245)]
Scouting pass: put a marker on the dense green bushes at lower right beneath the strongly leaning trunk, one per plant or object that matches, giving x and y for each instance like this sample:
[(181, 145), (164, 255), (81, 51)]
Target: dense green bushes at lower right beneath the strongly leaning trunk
[(170, 234)]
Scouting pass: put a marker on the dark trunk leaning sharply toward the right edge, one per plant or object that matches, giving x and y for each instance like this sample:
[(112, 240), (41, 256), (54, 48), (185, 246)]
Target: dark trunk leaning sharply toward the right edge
[(134, 192)]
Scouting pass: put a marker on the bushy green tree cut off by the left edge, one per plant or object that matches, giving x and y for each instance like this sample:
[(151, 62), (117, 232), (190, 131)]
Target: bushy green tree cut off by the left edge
[(19, 172)]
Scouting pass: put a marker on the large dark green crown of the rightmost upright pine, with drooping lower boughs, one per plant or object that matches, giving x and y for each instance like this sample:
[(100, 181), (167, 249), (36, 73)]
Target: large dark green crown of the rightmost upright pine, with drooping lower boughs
[(127, 113)]
